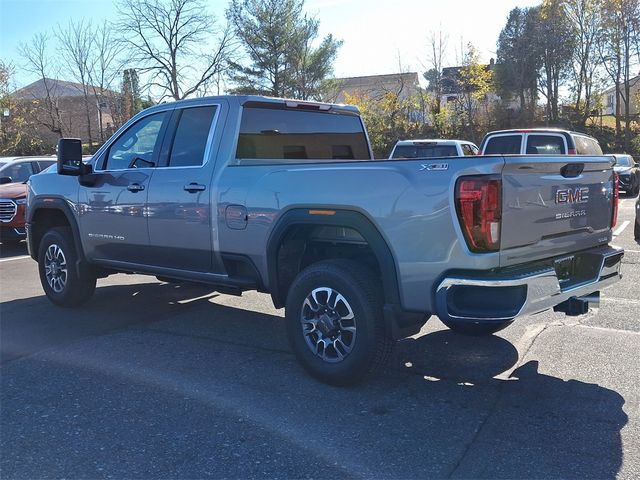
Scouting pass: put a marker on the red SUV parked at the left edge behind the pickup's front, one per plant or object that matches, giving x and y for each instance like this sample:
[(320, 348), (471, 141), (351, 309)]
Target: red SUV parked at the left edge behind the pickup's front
[(14, 173)]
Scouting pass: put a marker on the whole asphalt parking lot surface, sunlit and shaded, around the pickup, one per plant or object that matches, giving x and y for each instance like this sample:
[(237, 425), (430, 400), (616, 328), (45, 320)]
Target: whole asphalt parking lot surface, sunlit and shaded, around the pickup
[(151, 380)]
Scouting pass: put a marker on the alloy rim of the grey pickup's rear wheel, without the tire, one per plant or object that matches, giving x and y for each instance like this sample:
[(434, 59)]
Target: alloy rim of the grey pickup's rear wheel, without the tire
[(328, 324)]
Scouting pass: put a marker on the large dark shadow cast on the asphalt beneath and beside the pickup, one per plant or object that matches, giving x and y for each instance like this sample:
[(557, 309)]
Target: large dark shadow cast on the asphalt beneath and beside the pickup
[(437, 412)]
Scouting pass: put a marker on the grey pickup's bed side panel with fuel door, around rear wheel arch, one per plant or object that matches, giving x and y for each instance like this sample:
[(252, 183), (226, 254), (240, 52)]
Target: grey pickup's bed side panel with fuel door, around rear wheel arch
[(412, 207)]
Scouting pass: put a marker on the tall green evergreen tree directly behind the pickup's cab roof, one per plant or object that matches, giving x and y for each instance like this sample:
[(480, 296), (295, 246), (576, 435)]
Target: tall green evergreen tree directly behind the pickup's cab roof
[(278, 39)]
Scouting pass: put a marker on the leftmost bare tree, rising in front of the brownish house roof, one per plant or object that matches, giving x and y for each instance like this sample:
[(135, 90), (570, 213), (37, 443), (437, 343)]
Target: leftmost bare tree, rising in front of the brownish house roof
[(38, 61)]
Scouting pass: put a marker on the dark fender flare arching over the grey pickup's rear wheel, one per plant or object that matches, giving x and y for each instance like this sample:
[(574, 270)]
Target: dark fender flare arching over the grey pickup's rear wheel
[(341, 218)]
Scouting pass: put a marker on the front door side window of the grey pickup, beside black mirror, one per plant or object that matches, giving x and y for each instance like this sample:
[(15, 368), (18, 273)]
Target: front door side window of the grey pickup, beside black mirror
[(138, 146)]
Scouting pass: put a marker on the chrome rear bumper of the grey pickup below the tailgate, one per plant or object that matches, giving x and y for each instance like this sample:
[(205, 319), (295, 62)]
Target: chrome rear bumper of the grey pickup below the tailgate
[(512, 293)]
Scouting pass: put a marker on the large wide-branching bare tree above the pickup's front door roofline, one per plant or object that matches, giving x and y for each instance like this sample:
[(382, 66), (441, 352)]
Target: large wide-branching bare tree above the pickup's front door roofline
[(176, 42)]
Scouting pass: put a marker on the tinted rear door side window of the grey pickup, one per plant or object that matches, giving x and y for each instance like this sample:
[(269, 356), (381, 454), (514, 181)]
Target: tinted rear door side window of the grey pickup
[(190, 140)]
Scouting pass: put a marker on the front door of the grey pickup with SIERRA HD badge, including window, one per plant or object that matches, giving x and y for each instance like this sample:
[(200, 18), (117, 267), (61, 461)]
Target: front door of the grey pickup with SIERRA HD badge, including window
[(113, 216)]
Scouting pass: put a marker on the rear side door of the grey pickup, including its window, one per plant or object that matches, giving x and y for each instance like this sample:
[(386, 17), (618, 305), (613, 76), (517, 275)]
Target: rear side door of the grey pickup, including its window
[(179, 203)]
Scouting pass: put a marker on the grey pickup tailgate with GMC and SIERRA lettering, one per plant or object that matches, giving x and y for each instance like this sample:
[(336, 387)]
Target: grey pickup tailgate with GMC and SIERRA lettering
[(554, 205)]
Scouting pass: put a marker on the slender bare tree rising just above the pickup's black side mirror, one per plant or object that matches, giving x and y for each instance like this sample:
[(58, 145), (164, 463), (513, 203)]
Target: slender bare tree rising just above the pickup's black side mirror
[(76, 46)]
